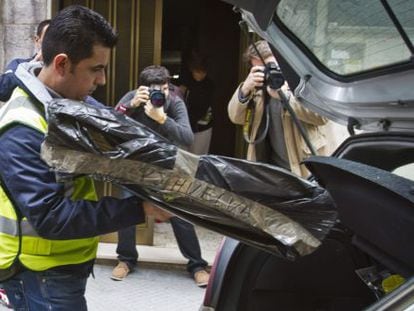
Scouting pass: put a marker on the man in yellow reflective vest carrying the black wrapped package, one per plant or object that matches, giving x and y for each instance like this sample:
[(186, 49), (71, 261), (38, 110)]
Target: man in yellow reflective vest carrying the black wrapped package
[(49, 229)]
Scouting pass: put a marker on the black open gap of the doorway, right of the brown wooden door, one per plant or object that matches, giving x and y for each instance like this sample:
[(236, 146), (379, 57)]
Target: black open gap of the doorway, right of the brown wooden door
[(211, 27)]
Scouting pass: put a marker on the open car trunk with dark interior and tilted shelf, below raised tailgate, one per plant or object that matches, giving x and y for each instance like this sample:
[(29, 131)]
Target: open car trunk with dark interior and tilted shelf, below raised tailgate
[(372, 240)]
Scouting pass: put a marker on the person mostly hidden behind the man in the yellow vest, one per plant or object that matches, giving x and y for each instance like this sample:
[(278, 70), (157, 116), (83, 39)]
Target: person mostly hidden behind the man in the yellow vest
[(8, 81)]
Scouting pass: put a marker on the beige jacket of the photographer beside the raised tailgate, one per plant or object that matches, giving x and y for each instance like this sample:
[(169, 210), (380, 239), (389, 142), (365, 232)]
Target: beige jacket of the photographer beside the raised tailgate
[(296, 148)]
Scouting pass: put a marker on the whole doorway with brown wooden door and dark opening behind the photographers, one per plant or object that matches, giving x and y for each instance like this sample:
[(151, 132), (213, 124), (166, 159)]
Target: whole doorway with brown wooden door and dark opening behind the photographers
[(162, 32)]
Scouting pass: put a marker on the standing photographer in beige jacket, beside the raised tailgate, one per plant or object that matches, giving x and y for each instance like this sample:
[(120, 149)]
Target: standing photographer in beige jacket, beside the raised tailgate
[(268, 128)]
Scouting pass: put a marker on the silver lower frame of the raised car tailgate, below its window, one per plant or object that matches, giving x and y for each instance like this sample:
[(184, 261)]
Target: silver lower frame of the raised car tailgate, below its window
[(382, 101)]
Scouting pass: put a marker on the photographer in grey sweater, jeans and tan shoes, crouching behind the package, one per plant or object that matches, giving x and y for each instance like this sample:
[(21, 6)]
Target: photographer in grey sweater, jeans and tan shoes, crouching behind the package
[(157, 104)]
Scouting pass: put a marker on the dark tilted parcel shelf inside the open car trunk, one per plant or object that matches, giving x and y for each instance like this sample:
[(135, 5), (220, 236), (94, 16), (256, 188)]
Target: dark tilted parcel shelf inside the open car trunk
[(376, 205)]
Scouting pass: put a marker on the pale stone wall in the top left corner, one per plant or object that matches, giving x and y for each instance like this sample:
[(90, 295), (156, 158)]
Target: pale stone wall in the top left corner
[(18, 22)]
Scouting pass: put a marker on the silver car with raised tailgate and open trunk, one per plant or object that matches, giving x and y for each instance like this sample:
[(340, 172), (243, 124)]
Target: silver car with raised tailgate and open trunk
[(351, 61)]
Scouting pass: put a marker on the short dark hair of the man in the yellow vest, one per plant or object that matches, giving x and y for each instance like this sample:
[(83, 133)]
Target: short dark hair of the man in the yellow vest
[(75, 31)]
